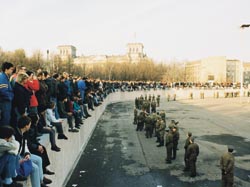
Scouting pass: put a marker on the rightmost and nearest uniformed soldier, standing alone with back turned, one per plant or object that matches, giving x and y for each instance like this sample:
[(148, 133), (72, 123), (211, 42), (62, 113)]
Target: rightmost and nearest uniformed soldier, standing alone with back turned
[(227, 168)]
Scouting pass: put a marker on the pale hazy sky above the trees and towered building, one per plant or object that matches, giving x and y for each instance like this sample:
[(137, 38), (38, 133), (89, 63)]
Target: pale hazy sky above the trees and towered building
[(170, 30)]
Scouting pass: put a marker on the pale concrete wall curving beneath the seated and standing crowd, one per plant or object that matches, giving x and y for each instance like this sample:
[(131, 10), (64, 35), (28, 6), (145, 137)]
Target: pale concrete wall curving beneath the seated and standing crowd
[(63, 162)]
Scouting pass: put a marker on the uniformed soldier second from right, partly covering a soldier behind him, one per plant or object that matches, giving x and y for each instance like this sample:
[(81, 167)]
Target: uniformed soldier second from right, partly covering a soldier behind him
[(192, 154)]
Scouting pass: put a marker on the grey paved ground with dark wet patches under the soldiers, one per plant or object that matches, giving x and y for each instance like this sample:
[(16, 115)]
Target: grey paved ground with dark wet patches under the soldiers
[(117, 155)]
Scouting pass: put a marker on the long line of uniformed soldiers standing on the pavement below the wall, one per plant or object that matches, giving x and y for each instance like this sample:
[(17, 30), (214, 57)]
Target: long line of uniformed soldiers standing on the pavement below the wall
[(153, 122)]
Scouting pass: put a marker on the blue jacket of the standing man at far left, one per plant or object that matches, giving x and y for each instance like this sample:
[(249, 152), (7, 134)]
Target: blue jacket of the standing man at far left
[(6, 92)]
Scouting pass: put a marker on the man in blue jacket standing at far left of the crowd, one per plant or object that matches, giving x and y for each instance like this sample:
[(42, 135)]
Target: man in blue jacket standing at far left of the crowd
[(6, 93)]
